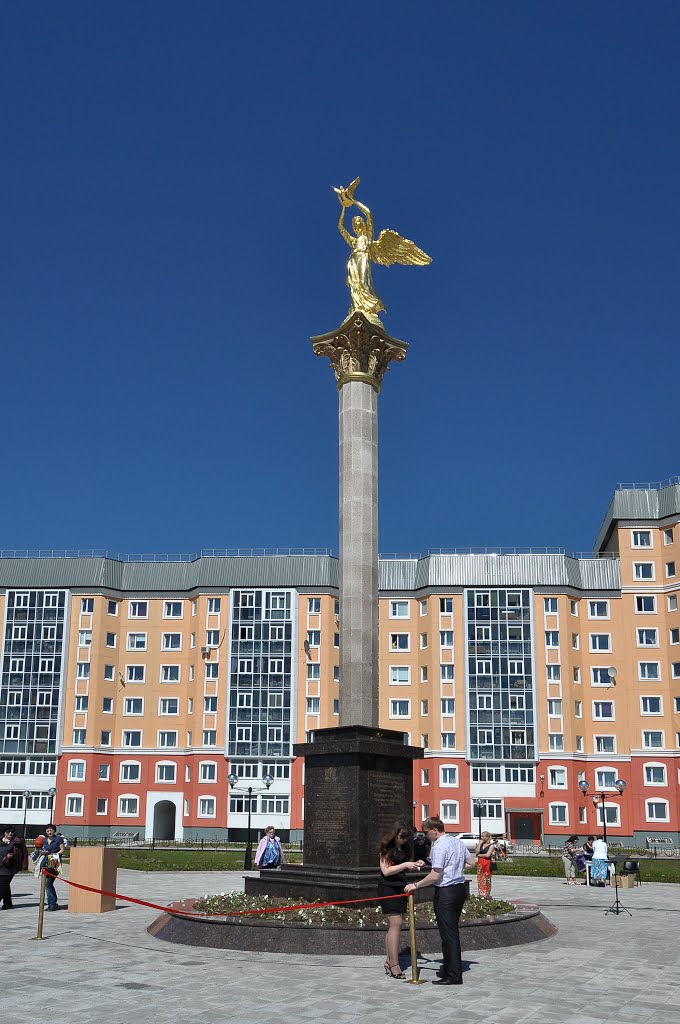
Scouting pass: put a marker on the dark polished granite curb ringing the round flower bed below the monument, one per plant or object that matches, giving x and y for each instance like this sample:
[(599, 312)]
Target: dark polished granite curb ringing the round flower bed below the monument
[(527, 924)]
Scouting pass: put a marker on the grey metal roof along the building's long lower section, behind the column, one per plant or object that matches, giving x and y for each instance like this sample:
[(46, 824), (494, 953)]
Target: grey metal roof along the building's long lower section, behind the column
[(310, 572)]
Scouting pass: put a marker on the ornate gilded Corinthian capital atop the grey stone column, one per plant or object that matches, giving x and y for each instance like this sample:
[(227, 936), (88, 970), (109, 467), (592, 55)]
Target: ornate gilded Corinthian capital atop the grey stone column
[(360, 351)]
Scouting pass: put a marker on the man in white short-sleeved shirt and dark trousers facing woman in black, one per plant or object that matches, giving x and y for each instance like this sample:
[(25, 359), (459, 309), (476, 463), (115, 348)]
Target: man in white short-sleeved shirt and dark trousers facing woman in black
[(449, 857)]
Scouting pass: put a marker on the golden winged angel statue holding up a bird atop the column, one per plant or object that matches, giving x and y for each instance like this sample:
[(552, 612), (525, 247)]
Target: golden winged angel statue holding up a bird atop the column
[(389, 248)]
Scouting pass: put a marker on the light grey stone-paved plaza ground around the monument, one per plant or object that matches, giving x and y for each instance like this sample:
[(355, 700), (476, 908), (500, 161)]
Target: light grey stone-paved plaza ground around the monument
[(105, 968)]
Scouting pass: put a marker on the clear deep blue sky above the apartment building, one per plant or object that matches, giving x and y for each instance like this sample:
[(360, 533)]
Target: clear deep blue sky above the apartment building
[(171, 245)]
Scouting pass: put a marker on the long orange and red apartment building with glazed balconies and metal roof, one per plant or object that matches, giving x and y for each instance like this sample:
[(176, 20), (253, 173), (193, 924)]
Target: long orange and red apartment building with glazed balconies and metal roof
[(131, 691)]
